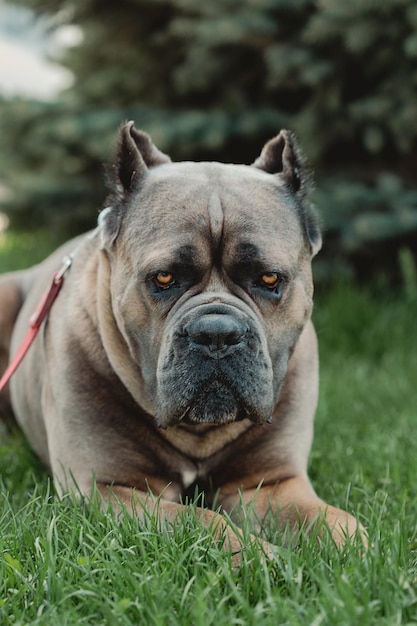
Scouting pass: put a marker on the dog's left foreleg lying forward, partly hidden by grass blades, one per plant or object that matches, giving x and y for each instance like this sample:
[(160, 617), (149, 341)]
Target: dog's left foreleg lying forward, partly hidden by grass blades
[(142, 504)]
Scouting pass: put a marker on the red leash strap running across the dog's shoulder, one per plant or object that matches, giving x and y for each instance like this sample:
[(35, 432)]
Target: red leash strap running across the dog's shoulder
[(36, 320)]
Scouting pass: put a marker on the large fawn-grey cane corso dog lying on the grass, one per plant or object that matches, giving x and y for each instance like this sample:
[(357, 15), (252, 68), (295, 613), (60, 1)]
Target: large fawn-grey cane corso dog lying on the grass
[(179, 354)]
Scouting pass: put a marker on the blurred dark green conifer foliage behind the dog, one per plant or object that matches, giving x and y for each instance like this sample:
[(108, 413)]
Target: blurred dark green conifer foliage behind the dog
[(214, 80)]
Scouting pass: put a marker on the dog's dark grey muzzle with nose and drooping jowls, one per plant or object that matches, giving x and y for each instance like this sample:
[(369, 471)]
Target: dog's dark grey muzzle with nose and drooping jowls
[(214, 368)]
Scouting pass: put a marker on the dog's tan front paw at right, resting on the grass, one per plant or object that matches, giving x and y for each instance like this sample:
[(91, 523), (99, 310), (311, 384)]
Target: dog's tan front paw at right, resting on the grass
[(294, 503)]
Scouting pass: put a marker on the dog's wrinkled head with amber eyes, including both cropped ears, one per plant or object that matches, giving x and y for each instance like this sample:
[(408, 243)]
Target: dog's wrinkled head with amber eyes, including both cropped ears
[(210, 278)]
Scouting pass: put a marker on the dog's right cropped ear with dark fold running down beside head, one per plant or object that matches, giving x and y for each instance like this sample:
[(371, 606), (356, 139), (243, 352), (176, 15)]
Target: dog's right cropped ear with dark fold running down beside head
[(282, 156)]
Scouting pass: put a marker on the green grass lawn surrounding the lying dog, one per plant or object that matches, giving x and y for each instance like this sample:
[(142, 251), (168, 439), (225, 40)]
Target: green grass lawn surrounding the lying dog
[(64, 564)]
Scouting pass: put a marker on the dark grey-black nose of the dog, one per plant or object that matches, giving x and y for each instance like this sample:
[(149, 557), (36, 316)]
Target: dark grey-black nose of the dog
[(217, 333)]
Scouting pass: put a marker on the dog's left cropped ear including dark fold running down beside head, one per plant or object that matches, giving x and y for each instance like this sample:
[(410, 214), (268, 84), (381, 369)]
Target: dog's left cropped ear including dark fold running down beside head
[(135, 154)]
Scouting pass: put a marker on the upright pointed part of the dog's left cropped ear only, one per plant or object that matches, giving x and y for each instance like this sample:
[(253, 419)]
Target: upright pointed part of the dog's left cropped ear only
[(135, 154)]
